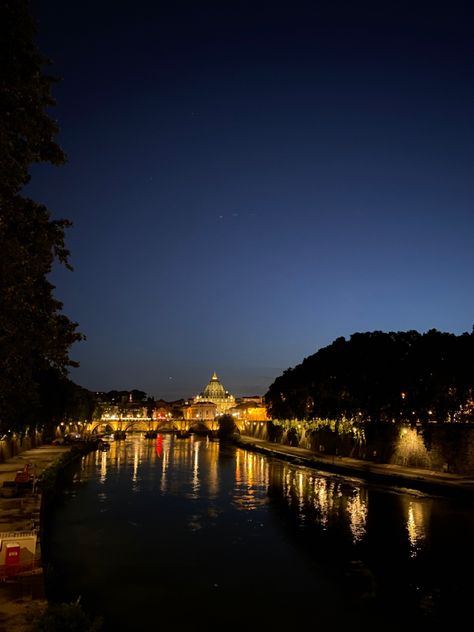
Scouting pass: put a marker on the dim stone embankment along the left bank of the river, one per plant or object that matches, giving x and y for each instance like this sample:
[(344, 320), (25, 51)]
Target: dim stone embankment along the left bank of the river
[(22, 593)]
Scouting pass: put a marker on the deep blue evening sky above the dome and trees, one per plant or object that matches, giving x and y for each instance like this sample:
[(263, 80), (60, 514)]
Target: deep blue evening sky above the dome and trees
[(250, 180)]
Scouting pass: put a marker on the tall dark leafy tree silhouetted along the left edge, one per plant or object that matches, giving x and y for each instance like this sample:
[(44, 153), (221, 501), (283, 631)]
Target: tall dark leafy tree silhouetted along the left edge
[(35, 336)]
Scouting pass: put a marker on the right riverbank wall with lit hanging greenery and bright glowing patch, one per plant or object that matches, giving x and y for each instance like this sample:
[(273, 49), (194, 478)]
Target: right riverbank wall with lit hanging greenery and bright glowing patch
[(441, 448)]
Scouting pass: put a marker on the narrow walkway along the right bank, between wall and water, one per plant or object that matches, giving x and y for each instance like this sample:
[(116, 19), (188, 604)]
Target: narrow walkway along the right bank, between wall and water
[(417, 478)]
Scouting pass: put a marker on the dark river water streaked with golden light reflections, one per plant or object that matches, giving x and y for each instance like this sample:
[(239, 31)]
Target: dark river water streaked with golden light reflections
[(190, 532)]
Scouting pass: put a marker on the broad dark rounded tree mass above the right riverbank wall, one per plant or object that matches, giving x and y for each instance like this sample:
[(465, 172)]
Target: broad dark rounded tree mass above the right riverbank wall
[(377, 376)]
